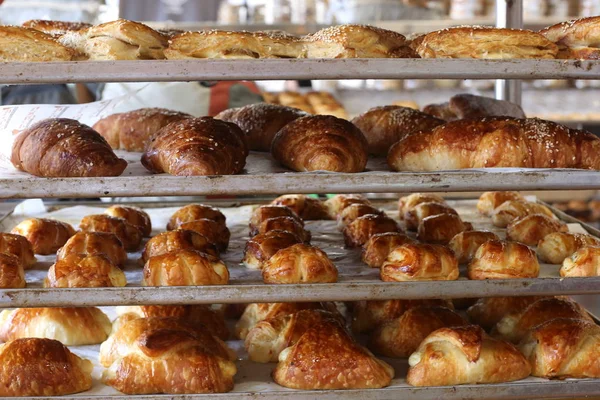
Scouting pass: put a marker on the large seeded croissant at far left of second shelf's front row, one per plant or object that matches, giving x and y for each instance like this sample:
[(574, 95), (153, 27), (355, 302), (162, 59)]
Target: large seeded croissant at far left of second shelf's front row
[(61, 147)]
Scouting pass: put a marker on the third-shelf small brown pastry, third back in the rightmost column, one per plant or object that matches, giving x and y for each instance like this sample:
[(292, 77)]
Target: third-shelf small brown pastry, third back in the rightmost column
[(532, 228)]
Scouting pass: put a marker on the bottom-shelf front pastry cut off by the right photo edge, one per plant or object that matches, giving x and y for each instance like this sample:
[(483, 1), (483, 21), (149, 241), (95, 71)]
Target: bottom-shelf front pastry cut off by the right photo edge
[(563, 348)]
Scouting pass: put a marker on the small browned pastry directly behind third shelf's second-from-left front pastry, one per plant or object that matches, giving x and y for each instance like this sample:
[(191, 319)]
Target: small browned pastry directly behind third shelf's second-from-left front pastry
[(94, 243)]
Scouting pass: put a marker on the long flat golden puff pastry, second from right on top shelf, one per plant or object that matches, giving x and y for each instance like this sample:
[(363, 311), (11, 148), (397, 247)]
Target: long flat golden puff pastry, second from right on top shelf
[(484, 42)]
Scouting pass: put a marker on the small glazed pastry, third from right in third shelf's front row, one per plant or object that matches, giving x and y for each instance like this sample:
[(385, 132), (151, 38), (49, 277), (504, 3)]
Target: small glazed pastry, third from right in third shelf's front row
[(420, 262)]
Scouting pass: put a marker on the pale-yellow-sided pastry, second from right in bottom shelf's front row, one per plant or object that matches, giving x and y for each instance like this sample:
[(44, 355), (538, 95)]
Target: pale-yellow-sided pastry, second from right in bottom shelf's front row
[(465, 355)]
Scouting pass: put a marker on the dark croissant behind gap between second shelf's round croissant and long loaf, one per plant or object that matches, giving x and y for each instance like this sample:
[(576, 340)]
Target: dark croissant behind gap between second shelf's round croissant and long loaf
[(384, 126)]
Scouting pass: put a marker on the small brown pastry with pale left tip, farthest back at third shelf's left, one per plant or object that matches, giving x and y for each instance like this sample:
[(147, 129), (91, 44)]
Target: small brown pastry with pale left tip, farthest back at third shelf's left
[(45, 235)]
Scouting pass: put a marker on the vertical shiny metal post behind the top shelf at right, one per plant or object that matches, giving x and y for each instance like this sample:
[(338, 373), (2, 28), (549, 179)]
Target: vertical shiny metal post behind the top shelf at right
[(509, 14)]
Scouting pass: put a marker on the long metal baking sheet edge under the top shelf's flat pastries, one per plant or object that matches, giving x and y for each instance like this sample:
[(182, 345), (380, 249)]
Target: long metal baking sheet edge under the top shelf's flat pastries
[(266, 69)]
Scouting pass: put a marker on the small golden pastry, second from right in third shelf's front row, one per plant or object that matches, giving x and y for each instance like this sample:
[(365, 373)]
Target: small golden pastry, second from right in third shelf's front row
[(497, 259)]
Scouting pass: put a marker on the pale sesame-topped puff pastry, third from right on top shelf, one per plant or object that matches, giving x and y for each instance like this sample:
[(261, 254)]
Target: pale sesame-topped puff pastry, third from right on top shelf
[(357, 41)]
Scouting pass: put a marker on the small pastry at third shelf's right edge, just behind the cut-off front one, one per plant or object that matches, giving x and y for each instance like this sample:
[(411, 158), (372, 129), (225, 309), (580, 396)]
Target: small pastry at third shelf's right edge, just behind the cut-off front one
[(557, 246)]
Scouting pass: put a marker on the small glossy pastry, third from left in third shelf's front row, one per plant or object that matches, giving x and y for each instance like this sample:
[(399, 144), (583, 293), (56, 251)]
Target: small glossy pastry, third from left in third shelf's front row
[(185, 268)]
